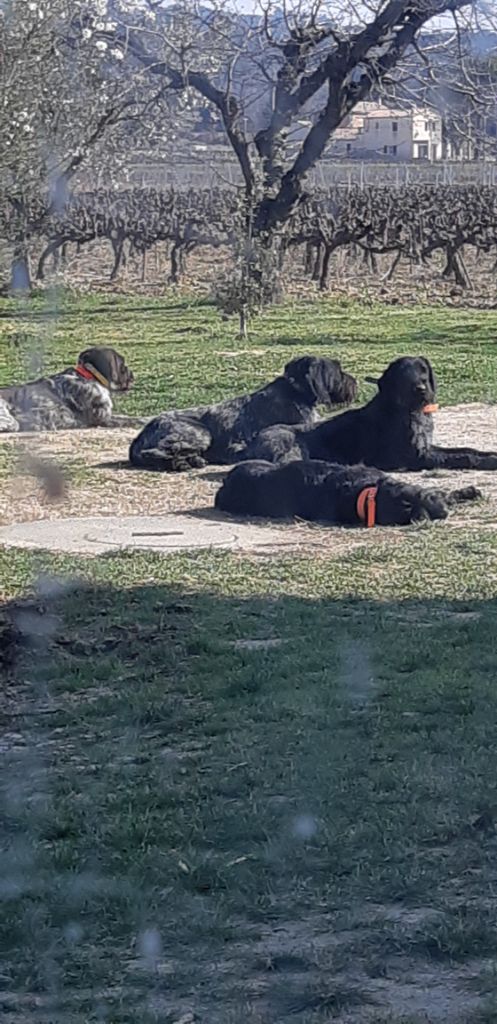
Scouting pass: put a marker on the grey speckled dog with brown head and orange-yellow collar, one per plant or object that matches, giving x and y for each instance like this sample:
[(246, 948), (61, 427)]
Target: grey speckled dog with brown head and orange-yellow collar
[(80, 397)]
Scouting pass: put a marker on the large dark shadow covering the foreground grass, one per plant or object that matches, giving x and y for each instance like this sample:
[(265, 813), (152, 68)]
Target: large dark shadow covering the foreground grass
[(197, 789)]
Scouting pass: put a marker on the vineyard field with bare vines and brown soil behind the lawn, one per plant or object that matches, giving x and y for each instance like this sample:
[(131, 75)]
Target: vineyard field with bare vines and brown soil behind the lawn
[(412, 244)]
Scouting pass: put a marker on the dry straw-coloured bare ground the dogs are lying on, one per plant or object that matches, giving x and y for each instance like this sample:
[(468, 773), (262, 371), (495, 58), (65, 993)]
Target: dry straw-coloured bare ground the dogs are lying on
[(104, 485)]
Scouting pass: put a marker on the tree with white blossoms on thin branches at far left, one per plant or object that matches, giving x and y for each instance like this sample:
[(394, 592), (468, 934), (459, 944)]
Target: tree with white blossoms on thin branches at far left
[(64, 103)]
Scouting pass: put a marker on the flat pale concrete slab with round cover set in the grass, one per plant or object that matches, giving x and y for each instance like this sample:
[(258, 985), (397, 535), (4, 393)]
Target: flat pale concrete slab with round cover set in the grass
[(101, 535)]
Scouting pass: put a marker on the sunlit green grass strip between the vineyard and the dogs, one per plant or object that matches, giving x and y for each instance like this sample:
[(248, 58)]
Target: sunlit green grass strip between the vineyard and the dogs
[(175, 345)]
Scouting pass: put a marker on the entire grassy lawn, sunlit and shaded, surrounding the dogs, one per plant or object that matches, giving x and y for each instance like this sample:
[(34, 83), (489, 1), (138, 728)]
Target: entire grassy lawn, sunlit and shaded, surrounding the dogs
[(245, 789)]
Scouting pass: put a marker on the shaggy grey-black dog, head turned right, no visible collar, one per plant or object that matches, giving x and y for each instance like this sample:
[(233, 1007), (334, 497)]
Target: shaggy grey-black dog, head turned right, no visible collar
[(191, 439)]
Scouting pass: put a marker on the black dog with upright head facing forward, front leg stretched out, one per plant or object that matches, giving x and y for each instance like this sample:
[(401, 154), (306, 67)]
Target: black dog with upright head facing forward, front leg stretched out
[(393, 432)]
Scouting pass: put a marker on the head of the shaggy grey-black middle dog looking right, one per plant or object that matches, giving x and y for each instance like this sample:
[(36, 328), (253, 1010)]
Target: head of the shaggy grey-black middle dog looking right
[(321, 381)]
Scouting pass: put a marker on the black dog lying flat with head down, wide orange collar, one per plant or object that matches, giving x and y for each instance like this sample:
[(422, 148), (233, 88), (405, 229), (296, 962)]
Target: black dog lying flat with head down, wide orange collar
[(321, 491)]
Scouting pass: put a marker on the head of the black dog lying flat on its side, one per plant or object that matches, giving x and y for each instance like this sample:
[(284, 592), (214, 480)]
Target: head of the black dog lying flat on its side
[(399, 504)]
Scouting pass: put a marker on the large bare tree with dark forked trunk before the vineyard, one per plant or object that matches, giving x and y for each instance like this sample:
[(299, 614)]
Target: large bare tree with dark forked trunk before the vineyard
[(284, 80)]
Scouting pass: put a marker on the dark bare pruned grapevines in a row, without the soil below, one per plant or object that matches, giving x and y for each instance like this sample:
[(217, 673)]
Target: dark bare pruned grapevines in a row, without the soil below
[(409, 223)]
